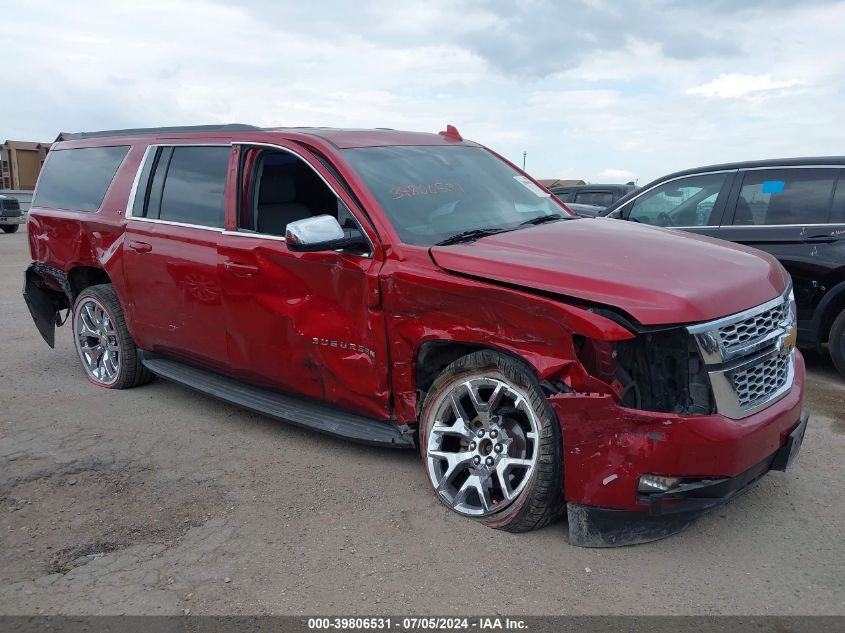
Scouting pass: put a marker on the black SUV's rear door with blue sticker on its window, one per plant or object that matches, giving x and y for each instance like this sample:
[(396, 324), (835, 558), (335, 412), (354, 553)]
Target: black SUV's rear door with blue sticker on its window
[(787, 212)]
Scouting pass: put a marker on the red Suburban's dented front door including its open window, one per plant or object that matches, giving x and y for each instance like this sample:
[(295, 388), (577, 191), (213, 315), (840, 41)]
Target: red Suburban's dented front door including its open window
[(305, 323)]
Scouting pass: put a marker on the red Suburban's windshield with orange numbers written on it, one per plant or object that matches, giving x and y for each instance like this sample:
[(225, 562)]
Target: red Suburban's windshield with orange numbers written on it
[(433, 193)]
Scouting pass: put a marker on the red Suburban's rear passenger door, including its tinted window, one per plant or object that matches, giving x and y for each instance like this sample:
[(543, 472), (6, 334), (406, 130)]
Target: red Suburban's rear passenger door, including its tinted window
[(170, 252)]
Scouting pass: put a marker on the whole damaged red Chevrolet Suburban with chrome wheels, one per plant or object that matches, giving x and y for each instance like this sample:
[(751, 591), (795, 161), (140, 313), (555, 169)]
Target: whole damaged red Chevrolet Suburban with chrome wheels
[(403, 289)]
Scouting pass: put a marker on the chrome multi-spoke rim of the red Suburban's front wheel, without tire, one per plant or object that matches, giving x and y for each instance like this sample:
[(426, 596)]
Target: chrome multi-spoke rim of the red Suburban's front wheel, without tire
[(482, 446)]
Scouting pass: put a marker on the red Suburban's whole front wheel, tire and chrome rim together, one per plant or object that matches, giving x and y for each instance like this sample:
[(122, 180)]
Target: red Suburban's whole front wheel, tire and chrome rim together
[(491, 443)]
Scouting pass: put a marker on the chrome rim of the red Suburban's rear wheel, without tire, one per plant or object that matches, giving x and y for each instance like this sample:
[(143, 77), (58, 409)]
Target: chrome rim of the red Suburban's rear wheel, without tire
[(97, 341)]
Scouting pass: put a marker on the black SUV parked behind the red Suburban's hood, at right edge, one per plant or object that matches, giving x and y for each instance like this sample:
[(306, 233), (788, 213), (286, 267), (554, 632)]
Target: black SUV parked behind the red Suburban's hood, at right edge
[(792, 208)]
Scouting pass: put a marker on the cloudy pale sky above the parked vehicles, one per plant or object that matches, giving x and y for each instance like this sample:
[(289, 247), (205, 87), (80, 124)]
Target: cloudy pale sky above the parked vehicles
[(593, 89)]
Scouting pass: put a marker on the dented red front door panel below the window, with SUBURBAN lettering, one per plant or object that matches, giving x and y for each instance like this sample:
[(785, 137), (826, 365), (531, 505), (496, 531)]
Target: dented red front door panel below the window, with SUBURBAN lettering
[(306, 323)]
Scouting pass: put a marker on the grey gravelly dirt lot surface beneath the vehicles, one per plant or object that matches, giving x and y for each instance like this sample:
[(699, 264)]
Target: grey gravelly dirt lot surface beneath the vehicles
[(158, 500)]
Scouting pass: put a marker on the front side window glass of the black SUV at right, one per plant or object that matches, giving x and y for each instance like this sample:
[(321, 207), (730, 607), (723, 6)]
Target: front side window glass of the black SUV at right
[(684, 202)]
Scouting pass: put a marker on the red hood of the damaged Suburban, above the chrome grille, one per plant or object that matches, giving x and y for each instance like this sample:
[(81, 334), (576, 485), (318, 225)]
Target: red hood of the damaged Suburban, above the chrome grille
[(657, 276)]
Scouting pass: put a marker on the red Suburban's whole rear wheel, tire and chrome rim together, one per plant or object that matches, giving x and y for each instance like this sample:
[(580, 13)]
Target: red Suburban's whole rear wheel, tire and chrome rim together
[(107, 352)]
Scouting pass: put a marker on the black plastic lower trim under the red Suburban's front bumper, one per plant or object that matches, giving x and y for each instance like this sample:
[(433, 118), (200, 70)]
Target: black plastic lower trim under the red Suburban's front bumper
[(672, 511)]
